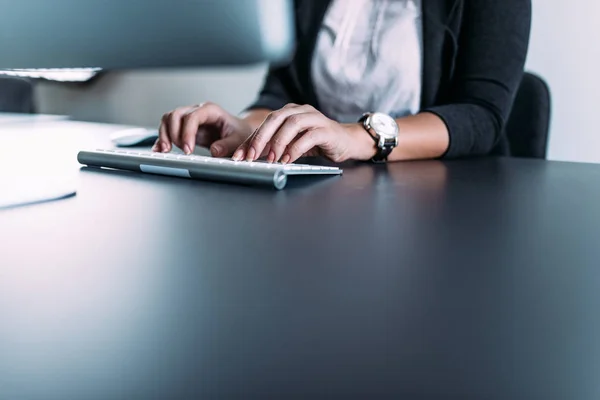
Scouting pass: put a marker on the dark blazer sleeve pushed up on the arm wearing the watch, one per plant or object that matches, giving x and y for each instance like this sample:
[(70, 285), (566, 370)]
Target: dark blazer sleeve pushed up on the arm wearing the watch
[(492, 49)]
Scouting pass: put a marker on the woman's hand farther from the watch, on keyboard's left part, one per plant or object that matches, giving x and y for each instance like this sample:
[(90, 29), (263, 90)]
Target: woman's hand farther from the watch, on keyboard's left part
[(206, 125)]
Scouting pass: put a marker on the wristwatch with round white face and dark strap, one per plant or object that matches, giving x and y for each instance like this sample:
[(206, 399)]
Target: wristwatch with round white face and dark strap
[(384, 130)]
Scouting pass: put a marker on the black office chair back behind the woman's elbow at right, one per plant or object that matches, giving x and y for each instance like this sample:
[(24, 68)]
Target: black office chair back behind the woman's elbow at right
[(528, 125)]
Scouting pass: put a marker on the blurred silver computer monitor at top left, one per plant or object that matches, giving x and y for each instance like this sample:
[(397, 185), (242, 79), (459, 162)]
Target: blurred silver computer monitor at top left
[(133, 34)]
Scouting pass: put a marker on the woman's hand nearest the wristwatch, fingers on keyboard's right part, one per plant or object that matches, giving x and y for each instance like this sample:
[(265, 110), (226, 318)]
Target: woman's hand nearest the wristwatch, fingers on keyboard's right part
[(295, 131)]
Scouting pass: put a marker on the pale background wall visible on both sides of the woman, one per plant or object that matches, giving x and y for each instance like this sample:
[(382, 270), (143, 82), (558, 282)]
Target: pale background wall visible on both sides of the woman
[(563, 50)]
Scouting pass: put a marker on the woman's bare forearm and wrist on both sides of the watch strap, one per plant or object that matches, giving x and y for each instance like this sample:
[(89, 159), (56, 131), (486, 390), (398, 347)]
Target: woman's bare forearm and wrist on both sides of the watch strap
[(422, 136)]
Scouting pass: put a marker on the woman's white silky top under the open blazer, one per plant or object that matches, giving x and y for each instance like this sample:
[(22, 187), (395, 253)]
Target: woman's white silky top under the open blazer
[(369, 58)]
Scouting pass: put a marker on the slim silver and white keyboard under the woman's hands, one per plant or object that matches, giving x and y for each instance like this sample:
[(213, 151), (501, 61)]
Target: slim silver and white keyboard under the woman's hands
[(202, 167)]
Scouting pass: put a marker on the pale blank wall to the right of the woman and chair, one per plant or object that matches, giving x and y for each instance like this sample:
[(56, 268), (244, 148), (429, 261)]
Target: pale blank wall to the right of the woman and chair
[(565, 50)]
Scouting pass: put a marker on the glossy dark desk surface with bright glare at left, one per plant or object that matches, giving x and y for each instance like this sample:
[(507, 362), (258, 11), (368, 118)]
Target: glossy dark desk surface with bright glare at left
[(466, 279)]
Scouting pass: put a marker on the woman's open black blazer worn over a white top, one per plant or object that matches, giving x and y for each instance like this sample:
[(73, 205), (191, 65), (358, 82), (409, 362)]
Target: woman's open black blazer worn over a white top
[(474, 57)]
